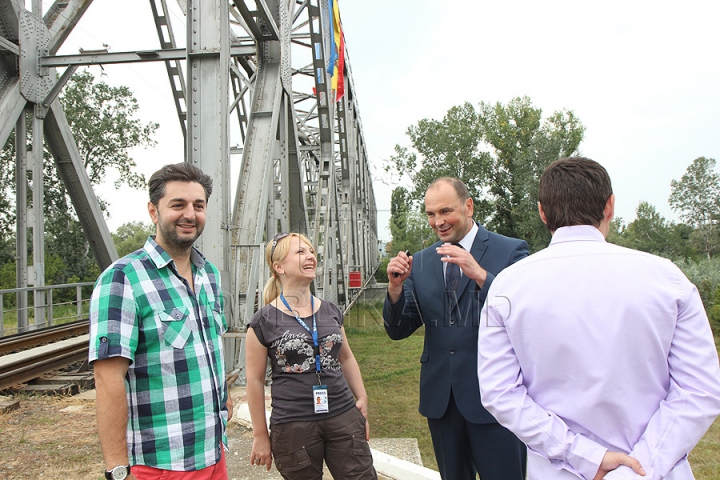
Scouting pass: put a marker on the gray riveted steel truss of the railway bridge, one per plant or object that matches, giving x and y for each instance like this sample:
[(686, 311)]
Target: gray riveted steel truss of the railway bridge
[(256, 68)]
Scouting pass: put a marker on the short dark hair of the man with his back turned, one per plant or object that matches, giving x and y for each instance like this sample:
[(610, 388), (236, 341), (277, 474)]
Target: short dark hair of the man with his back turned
[(574, 191)]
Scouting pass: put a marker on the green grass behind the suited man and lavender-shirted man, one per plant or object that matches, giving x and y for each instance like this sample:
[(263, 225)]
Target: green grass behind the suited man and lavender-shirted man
[(391, 373)]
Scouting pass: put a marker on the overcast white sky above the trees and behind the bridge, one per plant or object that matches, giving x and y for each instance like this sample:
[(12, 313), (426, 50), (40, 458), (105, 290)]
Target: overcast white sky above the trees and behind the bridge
[(643, 77)]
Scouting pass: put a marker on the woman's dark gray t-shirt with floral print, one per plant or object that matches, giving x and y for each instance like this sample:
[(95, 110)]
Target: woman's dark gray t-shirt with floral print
[(290, 349)]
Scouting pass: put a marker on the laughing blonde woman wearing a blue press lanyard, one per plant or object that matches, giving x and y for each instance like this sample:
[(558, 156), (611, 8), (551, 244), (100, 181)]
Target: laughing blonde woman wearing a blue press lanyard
[(318, 397)]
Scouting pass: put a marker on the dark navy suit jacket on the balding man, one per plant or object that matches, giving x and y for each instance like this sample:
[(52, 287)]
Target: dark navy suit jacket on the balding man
[(449, 358)]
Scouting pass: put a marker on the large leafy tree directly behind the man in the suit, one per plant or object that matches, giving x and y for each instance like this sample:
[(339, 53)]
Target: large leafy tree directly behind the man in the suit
[(499, 151)]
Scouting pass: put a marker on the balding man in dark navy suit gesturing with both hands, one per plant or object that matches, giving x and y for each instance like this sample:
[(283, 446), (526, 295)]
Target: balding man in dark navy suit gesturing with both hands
[(466, 437)]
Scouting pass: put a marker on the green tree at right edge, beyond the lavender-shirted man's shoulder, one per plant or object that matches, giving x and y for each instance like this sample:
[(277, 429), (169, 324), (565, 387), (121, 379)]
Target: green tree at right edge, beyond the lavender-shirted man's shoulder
[(696, 196)]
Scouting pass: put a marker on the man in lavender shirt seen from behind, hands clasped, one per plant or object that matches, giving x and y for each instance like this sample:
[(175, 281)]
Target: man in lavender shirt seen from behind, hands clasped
[(598, 357)]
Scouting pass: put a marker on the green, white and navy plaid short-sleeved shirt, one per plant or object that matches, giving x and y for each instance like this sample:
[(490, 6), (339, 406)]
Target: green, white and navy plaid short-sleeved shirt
[(143, 310)]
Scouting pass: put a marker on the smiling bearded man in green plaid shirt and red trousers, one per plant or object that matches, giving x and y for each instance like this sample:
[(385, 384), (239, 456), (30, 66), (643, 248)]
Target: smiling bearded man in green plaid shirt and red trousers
[(156, 320)]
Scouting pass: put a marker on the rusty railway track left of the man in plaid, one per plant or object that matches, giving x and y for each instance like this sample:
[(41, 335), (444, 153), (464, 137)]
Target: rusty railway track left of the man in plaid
[(25, 357)]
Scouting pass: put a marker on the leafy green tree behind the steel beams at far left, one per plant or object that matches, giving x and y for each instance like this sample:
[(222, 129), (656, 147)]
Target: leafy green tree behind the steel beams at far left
[(102, 119)]
